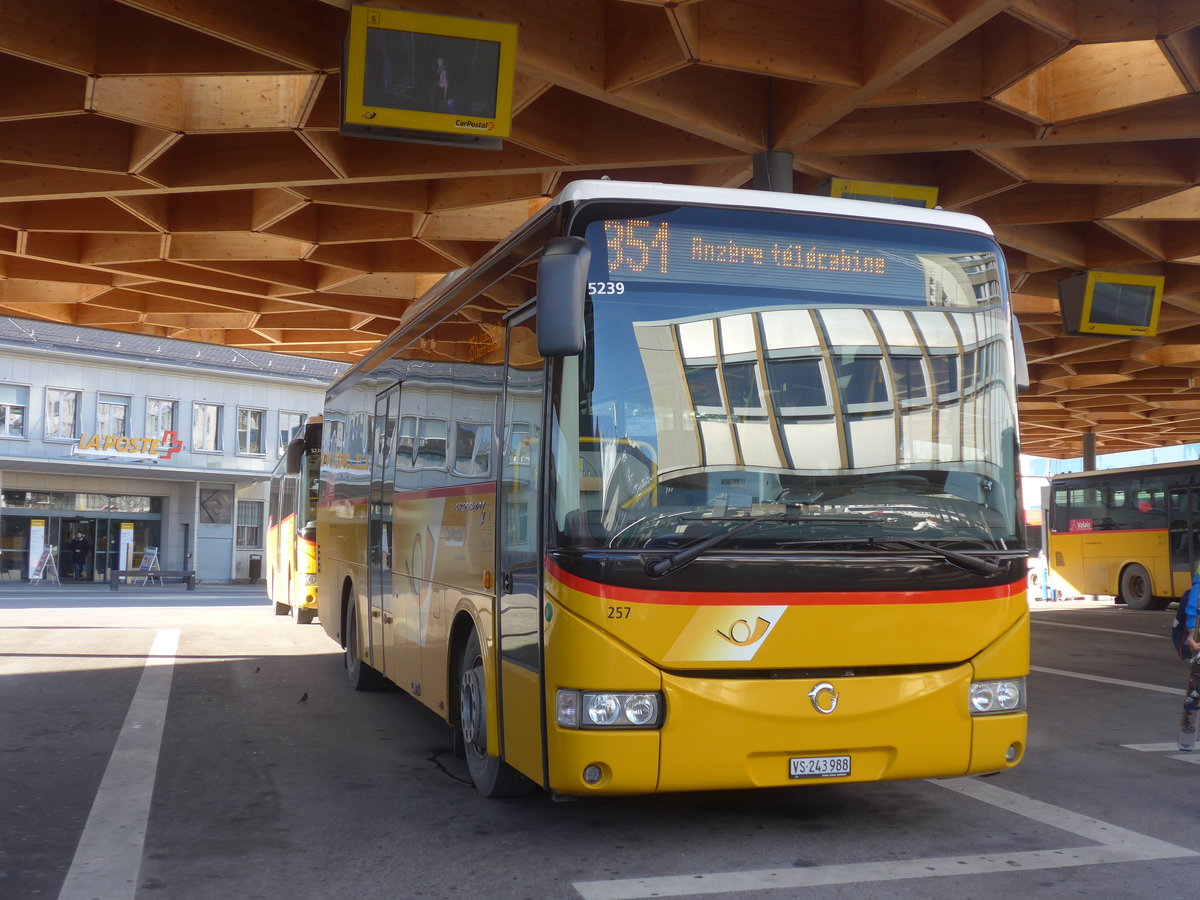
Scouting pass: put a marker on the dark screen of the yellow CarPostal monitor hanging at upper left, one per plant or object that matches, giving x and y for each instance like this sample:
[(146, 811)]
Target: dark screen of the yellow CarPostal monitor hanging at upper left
[(431, 74)]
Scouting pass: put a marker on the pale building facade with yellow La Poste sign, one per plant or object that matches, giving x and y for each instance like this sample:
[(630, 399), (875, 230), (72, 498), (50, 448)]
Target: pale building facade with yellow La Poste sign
[(146, 447)]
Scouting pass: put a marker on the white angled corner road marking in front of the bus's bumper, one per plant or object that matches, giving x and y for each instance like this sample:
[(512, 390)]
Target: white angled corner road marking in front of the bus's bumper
[(1113, 845)]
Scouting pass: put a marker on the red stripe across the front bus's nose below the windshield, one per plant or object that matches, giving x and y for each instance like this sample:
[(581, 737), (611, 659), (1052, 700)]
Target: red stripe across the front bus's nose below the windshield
[(779, 598)]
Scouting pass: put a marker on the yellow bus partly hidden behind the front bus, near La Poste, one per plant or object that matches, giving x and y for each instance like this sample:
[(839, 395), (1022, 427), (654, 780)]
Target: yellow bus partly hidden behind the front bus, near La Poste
[(292, 527)]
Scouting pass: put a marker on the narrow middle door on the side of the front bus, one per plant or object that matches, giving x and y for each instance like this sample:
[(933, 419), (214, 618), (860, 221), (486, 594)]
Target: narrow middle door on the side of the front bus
[(380, 555)]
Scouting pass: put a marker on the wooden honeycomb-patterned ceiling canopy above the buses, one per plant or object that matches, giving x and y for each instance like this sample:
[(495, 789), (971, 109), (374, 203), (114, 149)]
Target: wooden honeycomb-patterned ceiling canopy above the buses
[(173, 167)]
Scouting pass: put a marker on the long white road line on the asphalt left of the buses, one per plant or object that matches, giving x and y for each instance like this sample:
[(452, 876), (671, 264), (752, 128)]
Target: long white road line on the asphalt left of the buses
[(110, 855)]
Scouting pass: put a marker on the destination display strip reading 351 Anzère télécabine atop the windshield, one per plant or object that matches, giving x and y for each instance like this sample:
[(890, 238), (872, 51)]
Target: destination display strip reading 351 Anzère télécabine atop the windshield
[(869, 261)]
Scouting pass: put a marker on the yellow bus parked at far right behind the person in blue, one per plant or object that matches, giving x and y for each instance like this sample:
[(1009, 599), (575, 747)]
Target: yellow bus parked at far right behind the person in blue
[(1133, 533)]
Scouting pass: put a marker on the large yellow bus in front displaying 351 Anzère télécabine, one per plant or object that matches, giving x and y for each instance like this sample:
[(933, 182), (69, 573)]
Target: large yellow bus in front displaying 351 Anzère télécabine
[(685, 489)]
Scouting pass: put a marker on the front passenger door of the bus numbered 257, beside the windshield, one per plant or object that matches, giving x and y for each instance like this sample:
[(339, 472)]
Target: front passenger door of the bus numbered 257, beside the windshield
[(519, 502)]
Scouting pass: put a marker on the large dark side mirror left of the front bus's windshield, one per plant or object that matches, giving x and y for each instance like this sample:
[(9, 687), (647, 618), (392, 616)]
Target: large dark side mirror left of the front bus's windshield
[(562, 290)]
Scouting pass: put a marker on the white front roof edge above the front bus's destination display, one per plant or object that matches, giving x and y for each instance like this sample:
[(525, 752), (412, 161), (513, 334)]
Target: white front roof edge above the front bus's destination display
[(603, 190)]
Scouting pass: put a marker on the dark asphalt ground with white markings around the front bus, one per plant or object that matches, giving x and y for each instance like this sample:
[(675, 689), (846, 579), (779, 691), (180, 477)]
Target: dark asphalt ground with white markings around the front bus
[(164, 743)]
